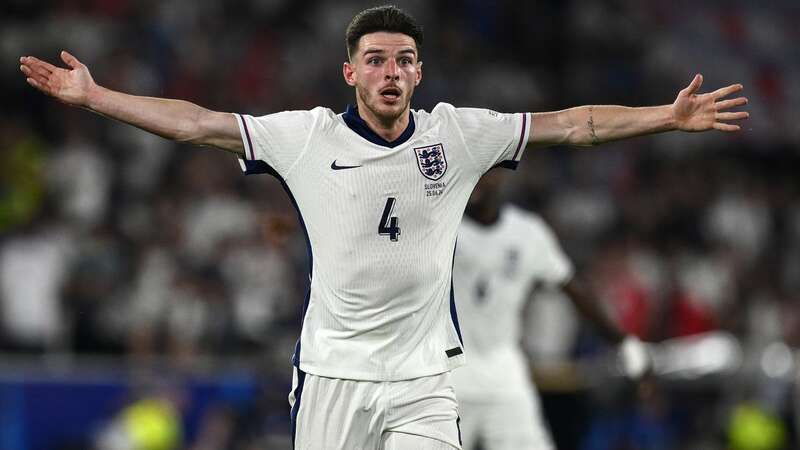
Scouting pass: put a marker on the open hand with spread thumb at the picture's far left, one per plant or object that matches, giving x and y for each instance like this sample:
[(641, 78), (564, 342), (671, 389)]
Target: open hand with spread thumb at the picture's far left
[(71, 86)]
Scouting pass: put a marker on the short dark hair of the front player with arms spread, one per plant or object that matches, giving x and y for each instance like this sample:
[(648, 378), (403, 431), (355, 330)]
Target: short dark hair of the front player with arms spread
[(382, 18)]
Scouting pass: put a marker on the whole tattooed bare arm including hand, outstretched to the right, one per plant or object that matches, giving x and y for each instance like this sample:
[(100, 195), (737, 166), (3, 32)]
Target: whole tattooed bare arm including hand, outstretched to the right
[(594, 125)]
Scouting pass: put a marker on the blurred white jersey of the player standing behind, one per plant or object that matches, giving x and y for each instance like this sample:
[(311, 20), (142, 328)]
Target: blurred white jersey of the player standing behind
[(496, 267)]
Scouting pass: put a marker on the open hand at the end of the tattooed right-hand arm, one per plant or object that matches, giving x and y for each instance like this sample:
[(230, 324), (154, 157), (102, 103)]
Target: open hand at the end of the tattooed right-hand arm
[(701, 112)]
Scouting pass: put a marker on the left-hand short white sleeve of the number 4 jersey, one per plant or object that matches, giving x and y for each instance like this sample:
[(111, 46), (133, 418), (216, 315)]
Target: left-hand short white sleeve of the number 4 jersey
[(273, 143)]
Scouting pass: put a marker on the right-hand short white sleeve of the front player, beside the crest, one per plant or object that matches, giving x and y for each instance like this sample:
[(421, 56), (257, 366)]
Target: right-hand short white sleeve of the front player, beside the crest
[(492, 138)]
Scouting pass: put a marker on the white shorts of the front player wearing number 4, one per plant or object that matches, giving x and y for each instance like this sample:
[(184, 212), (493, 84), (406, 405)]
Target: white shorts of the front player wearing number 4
[(336, 414)]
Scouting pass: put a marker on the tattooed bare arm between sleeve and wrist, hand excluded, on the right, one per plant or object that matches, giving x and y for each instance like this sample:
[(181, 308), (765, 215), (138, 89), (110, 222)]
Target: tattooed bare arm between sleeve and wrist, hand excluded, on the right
[(596, 124)]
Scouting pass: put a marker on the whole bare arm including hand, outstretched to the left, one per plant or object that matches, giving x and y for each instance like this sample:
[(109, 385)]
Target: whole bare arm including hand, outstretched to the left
[(177, 120)]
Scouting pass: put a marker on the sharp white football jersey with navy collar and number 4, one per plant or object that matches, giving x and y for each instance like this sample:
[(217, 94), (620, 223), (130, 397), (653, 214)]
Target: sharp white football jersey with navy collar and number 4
[(381, 221)]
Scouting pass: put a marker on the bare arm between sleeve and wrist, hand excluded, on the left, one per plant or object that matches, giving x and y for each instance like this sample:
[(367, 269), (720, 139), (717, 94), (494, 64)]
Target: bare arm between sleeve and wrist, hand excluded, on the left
[(176, 120)]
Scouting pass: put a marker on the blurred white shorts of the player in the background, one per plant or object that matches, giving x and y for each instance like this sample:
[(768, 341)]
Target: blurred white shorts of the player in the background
[(511, 423)]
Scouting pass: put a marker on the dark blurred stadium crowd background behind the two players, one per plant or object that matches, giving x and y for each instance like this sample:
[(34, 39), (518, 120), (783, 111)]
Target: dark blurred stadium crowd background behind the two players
[(150, 295)]
